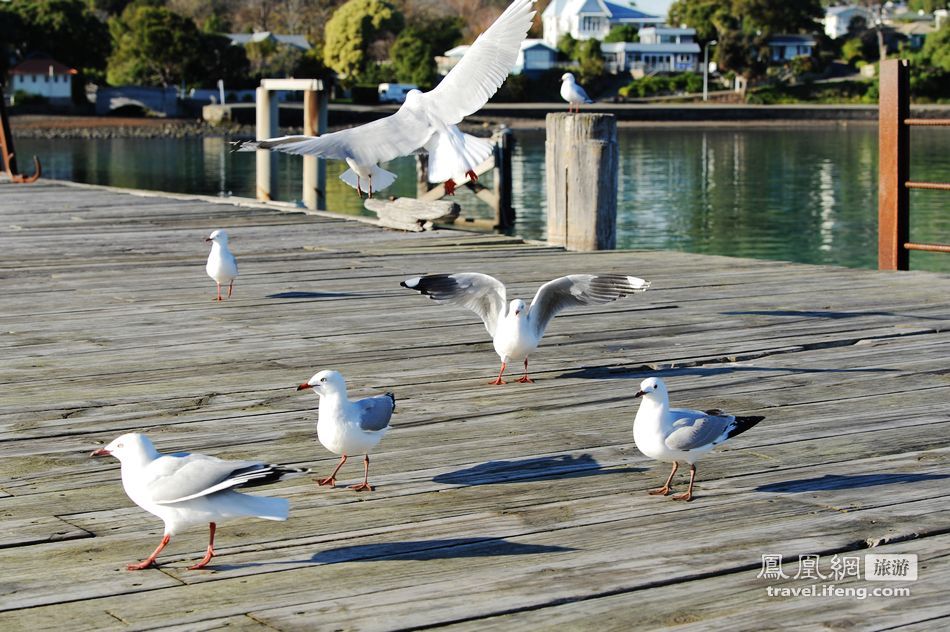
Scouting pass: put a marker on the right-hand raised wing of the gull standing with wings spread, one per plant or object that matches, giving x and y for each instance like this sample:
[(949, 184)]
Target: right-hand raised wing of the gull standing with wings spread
[(580, 289)]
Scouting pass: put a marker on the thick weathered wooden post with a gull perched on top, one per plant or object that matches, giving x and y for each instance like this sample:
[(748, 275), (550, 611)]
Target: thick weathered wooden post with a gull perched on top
[(581, 161)]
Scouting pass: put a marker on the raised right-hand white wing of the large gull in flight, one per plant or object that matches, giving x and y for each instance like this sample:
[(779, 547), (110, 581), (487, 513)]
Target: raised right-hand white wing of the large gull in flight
[(483, 68)]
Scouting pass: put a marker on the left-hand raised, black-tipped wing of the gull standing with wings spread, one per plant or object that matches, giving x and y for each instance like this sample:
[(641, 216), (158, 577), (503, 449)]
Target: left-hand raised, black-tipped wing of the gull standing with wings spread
[(483, 294)]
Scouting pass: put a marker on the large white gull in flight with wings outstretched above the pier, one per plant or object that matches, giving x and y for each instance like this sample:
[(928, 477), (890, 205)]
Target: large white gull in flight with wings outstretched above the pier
[(425, 119)]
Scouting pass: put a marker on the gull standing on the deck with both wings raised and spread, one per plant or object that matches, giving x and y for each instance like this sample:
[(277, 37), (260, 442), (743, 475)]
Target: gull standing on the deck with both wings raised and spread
[(515, 328)]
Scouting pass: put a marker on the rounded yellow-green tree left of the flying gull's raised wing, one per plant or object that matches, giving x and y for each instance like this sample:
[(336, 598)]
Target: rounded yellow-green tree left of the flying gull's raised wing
[(351, 31)]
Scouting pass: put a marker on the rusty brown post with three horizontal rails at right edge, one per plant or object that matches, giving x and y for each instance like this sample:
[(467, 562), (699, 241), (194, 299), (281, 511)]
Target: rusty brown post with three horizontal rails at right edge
[(894, 183)]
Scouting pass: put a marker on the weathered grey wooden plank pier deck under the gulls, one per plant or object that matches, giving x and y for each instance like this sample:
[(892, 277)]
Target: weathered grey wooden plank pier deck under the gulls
[(520, 507)]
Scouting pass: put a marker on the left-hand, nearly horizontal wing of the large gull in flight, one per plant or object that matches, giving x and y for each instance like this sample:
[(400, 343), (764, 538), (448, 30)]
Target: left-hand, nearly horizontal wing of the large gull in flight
[(396, 135)]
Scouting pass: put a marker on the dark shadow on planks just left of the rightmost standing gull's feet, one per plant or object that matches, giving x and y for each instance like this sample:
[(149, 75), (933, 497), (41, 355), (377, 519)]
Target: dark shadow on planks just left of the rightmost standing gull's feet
[(538, 468)]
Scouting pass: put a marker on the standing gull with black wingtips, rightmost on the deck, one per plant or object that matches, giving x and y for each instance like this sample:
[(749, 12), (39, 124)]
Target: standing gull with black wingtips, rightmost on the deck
[(677, 434)]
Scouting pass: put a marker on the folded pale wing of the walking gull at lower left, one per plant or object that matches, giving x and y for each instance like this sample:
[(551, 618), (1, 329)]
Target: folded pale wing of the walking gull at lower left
[(175, 478)]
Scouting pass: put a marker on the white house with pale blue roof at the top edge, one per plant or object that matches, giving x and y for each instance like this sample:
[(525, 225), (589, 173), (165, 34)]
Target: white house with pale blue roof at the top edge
[(590, 19)]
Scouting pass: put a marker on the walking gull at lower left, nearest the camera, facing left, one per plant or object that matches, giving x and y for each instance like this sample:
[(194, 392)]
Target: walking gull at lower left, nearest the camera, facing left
[(184, 489)]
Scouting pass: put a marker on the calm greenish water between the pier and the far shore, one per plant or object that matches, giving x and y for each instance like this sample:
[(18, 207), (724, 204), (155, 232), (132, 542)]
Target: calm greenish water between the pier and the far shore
[(807, 195)]
